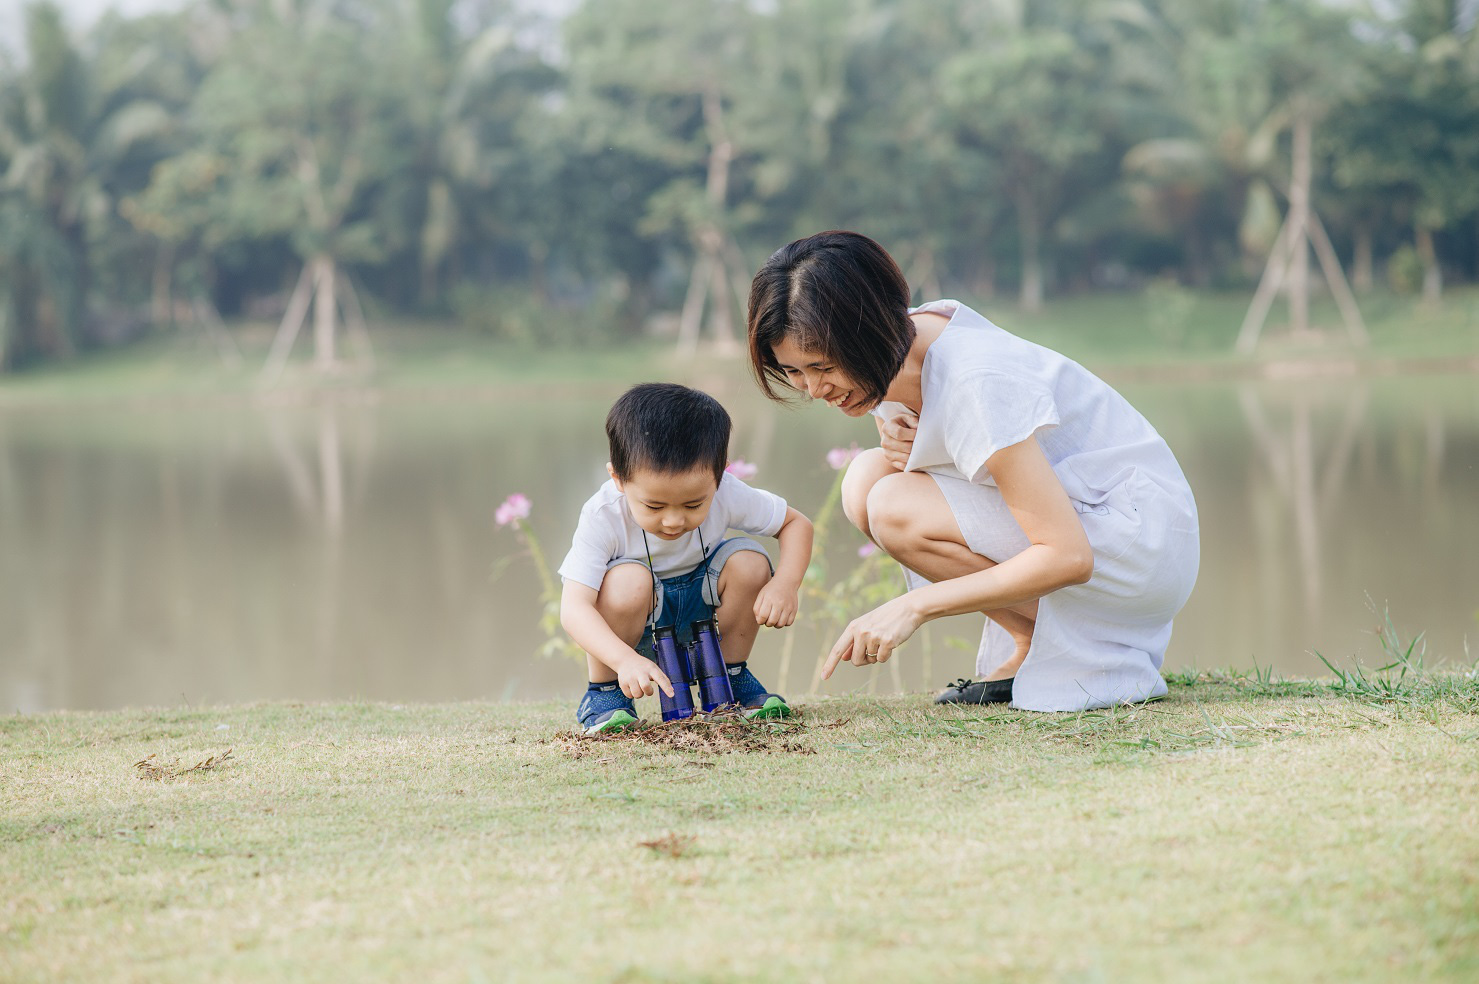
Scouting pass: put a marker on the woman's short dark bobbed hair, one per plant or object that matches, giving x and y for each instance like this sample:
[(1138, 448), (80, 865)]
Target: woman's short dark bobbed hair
[(838, 294)]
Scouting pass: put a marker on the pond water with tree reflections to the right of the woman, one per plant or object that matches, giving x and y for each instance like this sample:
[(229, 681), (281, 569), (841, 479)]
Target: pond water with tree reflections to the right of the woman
[(1354, 501)]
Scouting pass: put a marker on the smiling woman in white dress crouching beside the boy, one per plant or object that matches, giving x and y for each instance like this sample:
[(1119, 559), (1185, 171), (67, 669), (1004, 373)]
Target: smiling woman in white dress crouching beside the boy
[(1009, 480)]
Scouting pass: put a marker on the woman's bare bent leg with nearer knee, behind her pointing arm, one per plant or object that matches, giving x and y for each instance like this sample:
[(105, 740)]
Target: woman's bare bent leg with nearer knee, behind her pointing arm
[(909, 517)]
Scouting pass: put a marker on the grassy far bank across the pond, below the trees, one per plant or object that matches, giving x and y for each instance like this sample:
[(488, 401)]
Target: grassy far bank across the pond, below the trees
[(1123, 335)]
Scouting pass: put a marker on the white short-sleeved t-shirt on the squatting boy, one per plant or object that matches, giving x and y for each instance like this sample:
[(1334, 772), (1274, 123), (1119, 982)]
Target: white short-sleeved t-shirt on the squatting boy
[(607, 532)]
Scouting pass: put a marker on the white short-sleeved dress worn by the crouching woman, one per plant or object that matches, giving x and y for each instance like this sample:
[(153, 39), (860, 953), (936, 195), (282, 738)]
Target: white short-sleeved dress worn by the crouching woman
[(1100, 643)]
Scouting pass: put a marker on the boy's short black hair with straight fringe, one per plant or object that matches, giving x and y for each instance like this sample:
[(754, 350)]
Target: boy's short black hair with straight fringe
[(668, 428)]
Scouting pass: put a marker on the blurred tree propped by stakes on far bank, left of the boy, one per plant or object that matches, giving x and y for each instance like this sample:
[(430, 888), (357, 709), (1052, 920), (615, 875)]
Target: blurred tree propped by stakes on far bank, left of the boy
[(307, 106)]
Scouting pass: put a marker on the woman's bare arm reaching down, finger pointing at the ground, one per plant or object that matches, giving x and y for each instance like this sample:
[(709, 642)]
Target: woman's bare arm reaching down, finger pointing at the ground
[(1058, 556)]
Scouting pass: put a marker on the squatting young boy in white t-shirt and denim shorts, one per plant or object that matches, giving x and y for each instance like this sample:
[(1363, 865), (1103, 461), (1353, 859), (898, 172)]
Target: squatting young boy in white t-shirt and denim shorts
[(651, 551)]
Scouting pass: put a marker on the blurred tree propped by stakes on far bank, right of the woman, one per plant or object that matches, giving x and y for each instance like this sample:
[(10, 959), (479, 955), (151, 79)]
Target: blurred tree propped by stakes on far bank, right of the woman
[(1240, 75)]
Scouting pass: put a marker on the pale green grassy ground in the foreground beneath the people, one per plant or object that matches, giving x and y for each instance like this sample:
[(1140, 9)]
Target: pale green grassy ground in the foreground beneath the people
[(1242, 829)]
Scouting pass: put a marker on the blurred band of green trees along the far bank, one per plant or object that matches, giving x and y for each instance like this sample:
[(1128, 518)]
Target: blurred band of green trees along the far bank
[(632, 159)]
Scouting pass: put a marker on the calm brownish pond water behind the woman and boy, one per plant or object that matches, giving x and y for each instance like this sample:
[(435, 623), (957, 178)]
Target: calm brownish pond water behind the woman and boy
[(344, 547)]
